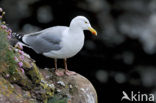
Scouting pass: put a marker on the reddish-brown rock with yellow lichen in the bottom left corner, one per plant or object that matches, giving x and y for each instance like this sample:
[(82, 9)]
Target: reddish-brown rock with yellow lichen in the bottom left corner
[(13, 93)]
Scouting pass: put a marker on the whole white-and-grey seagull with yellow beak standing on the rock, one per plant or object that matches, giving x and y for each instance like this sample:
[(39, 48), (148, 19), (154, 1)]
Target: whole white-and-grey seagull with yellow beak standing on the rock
[(59, 42)]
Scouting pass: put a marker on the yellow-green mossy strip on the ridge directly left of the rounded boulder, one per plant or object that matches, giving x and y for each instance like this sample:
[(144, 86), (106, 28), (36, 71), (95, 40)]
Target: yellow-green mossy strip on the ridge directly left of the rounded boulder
[(41, 86)]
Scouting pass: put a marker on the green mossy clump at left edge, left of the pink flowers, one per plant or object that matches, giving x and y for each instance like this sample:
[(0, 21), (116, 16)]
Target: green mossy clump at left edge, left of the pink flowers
[(7, 62)]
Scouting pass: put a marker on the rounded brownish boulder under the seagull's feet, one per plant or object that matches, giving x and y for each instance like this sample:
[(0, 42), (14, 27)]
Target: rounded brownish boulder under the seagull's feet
[(72, 89)]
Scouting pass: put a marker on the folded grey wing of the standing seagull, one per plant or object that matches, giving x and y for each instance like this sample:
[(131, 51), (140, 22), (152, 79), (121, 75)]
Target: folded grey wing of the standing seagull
[(46, 40)]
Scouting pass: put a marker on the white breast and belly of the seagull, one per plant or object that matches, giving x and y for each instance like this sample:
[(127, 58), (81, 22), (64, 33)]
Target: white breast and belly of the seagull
[(71, 45)]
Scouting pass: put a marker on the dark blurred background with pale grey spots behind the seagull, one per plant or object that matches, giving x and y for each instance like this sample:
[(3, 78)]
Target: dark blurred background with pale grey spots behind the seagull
[(123, 55)]
